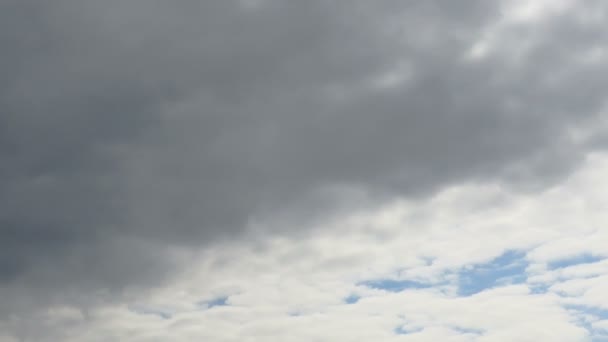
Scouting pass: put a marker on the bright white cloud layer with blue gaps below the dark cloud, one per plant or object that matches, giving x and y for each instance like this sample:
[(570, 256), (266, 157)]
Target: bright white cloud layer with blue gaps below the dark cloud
[(299, 287)]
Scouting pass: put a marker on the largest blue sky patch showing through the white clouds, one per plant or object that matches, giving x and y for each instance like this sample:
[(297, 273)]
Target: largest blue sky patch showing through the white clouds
[(508, 268)]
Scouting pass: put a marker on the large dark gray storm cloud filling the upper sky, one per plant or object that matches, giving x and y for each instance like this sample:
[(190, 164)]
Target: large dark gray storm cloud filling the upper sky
[(127, 126)]
